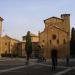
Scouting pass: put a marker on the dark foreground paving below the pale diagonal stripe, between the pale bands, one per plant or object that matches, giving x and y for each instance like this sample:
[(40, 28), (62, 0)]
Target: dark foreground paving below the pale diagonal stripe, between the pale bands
[(32, 70)]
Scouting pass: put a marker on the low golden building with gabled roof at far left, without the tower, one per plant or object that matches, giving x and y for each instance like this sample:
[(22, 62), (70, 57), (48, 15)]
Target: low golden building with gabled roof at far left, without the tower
[(8, 45)]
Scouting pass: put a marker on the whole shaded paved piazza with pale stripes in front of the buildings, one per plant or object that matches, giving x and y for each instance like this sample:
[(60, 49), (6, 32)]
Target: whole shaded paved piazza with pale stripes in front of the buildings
[(18, 67)]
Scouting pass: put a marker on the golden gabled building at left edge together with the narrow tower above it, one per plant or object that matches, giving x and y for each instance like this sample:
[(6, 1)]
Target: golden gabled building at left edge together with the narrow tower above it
[(8, 45)]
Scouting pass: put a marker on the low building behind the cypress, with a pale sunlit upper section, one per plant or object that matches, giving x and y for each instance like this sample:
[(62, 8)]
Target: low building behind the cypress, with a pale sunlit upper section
[(35, 43)]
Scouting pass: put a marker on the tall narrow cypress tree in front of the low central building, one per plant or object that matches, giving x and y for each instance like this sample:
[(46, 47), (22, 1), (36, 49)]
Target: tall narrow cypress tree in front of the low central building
[(28, 46)]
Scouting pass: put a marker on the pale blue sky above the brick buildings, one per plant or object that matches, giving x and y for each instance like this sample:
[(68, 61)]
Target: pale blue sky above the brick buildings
[(21, 16)]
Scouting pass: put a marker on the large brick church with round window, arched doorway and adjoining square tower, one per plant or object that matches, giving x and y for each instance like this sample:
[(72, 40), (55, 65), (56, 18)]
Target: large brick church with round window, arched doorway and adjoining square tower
[(56, 35)]
